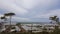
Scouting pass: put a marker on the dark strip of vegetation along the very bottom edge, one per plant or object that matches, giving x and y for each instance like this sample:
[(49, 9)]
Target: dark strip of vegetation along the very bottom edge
[(31, 33)]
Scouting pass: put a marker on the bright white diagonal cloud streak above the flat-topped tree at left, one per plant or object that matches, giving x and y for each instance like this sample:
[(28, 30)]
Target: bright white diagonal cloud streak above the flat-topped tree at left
[(11, 7)]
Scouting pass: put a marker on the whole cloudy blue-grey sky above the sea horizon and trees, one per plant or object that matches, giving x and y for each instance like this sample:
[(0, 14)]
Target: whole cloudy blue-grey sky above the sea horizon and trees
[(30, 10)]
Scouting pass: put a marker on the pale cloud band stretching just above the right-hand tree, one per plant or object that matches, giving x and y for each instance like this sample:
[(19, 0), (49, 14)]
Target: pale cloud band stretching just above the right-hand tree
[(50, 13)]
